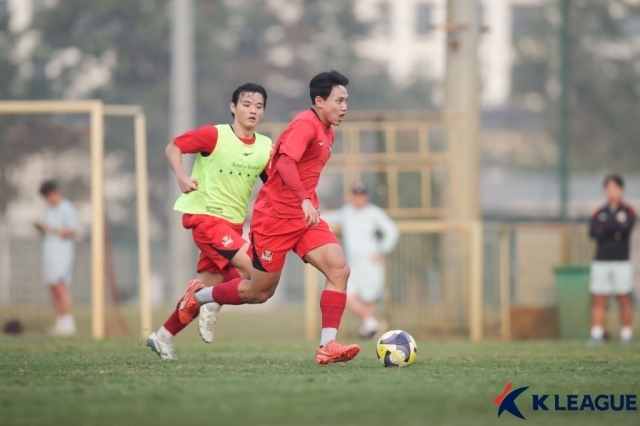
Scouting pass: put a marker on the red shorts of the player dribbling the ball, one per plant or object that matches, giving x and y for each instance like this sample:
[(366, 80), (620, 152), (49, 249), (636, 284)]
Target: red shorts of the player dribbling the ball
[(272, 238)]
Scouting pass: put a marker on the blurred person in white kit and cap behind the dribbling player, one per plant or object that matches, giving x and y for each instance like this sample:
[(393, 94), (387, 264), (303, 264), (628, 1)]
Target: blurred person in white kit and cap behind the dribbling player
[(369, 234)]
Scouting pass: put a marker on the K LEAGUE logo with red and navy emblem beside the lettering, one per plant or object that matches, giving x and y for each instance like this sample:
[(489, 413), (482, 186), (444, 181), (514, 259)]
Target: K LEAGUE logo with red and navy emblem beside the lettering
[(506, 401)]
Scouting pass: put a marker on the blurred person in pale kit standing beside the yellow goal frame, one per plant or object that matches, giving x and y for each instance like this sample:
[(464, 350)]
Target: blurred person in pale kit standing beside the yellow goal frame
[(58, 228)]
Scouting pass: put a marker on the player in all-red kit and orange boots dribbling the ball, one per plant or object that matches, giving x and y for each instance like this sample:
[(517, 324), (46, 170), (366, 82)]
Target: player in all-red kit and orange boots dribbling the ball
[(286, 218)]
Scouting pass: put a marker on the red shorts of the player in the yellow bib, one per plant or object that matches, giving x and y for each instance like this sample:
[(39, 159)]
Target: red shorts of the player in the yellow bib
[(217, 239)]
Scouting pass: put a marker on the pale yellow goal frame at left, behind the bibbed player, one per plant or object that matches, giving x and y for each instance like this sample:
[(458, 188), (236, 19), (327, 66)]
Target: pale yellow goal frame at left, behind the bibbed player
[(97, 111)]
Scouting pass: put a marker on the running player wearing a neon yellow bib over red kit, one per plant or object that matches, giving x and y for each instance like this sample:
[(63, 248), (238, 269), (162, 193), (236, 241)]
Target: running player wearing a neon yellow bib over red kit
[(214, 200)]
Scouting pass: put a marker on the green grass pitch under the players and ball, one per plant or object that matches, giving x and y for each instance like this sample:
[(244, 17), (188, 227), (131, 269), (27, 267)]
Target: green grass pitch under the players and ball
[(248, 381)]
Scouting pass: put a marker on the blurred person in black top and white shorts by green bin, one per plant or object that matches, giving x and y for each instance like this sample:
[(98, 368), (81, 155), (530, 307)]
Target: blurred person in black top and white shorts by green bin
[(612, 272)]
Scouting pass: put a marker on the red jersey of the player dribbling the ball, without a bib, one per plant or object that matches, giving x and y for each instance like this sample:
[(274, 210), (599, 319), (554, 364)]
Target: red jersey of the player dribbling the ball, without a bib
[(308, 141)]
